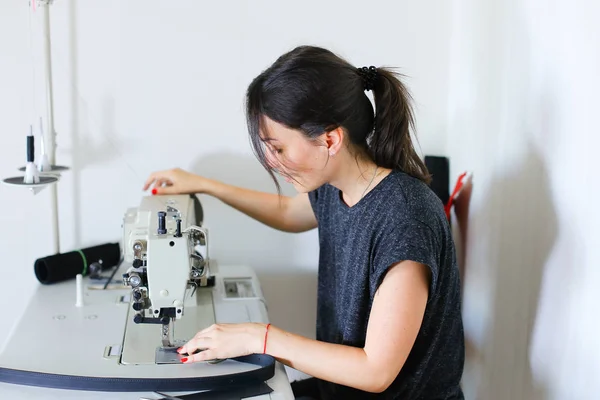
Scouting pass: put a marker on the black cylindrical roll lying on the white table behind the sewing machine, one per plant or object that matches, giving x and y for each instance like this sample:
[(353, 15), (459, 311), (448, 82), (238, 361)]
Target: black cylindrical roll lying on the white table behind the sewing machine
[(64, 266)]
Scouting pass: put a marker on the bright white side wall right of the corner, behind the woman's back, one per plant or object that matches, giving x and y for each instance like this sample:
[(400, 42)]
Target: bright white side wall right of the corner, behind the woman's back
[(522, 114)]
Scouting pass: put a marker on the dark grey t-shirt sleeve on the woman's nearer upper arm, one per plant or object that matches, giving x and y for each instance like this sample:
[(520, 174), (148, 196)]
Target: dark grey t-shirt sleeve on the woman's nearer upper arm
[(408, 240)]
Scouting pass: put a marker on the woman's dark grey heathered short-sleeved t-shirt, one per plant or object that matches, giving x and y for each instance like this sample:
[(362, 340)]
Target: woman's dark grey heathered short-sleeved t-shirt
[(399, 219)]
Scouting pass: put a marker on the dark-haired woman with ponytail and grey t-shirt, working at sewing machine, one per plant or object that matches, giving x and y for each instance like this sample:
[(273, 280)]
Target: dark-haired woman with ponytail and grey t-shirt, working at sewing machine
[(389, 320)]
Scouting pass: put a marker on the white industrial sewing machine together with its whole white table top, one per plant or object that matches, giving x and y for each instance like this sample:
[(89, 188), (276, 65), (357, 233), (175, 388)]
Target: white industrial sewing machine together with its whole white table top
[(119, 337)]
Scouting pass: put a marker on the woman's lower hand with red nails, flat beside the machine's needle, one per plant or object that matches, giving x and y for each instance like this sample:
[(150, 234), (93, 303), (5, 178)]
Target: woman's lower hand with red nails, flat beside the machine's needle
[(223, 341)]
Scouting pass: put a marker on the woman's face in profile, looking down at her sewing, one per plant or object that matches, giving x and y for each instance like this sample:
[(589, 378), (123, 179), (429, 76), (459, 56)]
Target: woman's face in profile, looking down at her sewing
[(301, 161)]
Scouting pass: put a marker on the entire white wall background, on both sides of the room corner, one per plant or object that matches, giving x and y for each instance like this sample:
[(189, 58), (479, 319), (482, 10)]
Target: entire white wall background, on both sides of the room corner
[(506, 89)]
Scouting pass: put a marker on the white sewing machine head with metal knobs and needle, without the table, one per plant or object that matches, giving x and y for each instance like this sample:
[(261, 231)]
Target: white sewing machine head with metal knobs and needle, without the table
[(169, 277)]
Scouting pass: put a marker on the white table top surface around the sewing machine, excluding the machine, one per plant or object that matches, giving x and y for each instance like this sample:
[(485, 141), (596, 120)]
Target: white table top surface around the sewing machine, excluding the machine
[(55, 336)]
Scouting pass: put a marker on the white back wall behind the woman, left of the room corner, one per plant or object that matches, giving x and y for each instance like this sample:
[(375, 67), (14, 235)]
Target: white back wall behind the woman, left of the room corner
[(147, 85)]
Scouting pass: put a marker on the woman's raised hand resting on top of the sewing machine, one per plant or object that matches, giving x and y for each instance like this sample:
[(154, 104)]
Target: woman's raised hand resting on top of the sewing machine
[(176, 181)]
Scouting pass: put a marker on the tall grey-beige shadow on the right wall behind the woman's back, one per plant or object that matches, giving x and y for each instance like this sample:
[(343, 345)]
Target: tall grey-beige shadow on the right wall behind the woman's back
[(523, 230)]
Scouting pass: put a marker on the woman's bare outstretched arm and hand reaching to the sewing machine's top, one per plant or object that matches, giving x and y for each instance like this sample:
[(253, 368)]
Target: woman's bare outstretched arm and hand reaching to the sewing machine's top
[(288, 214)]
